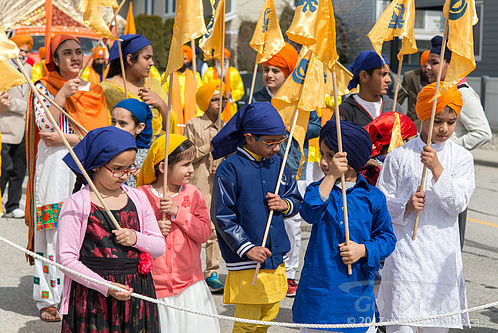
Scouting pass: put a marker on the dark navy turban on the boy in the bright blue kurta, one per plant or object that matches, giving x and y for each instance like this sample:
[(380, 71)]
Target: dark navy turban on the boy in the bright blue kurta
[(355, 141)]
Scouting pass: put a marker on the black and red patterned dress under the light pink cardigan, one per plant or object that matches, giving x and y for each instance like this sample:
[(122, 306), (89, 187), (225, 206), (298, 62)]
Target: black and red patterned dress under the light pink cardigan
[(89, 310)]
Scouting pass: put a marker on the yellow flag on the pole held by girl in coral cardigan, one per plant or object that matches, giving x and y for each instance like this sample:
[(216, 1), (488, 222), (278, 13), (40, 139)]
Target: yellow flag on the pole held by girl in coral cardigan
[(189, 25)]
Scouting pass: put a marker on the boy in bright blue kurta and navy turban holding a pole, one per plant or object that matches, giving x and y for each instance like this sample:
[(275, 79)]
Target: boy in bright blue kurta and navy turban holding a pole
[(326, 293)]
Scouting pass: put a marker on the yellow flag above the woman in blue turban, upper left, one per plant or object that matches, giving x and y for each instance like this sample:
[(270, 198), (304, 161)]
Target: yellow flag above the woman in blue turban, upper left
[(93, 17)]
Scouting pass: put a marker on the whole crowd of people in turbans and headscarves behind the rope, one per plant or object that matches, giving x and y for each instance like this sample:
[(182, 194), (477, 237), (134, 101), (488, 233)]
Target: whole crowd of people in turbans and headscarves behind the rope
[(216, 187)]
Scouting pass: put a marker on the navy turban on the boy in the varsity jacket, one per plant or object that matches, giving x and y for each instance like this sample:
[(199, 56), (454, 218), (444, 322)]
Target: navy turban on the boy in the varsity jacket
[(255, 118)]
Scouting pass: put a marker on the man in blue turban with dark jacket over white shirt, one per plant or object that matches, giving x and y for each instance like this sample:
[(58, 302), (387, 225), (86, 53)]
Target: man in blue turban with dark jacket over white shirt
[(371, 74)]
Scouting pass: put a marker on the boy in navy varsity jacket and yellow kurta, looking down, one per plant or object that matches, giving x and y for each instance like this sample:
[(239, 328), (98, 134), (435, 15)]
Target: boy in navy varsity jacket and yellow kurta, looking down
[(243, 189)]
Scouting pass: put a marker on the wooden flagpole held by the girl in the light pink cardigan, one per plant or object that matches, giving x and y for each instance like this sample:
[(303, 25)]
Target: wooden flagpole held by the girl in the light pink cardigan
[(66, 143)]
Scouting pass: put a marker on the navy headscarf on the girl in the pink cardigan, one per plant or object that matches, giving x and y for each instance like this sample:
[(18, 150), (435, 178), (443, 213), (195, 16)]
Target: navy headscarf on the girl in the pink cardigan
[(98, 147)]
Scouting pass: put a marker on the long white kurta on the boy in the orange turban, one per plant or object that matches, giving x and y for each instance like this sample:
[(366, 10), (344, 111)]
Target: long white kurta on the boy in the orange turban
[(424, 277)]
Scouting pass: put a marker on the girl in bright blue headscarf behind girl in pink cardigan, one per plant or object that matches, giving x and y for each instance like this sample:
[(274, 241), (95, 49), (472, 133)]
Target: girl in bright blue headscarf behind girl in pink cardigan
[(134, 117)]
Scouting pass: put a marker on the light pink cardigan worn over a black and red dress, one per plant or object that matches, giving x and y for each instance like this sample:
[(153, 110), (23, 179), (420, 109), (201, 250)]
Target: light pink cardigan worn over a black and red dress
[(71, 233)]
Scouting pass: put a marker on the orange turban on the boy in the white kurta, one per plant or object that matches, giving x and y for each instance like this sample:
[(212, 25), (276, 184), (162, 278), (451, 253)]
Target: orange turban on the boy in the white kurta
[(452, 98)]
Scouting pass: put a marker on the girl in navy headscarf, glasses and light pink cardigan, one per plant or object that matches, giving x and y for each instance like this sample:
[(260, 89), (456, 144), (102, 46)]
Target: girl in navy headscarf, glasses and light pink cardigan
[(89, 243)]
